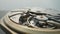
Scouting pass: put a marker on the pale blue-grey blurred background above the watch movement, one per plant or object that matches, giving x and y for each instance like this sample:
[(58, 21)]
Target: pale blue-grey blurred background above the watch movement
[(15, 4)]
